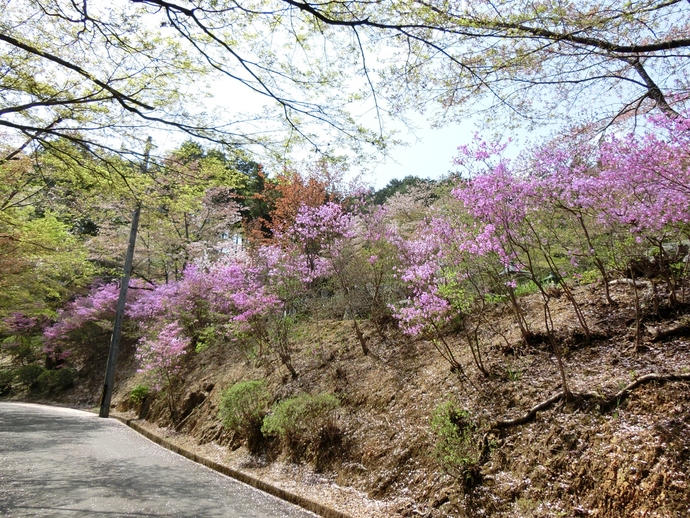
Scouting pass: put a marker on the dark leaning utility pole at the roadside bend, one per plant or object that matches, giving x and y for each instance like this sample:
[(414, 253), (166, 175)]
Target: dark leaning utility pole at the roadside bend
[(107, 393)]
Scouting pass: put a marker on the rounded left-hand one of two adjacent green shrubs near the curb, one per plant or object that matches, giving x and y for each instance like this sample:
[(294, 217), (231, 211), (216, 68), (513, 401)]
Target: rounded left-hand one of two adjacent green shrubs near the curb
[(242, 409)]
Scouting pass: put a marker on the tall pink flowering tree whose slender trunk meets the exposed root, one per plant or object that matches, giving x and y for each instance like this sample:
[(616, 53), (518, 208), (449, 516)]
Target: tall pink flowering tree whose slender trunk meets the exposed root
[(530, 232)]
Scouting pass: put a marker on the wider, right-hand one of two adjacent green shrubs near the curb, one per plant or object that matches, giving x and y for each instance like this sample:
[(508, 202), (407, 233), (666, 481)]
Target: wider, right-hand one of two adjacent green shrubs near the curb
[(306, 425)]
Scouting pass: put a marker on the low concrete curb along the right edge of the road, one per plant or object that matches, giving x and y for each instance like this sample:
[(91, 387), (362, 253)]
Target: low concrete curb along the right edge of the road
[(305, 503)]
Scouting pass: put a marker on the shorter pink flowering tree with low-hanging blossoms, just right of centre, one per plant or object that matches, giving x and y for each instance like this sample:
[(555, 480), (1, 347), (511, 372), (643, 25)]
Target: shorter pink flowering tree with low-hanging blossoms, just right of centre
[(451, 271)]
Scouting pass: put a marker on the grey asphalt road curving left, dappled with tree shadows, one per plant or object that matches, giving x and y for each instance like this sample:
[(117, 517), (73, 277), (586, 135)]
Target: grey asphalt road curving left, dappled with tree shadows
[(63, 462)]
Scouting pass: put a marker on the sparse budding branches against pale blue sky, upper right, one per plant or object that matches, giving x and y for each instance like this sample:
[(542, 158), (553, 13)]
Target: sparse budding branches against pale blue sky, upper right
[(586, 60)]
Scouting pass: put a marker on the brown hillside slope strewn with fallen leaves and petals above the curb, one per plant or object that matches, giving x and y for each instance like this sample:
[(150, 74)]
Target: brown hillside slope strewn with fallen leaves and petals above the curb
[(608, 452)]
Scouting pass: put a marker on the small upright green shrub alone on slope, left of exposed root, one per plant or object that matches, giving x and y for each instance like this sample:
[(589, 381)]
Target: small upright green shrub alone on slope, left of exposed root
[(457, 447)]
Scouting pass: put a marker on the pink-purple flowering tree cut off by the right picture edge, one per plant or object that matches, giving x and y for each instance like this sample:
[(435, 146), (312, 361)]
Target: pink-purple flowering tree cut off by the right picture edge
[(644, 186)]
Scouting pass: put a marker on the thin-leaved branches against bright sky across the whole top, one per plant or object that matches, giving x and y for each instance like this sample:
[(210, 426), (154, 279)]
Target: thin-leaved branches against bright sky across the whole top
[(98, 73)]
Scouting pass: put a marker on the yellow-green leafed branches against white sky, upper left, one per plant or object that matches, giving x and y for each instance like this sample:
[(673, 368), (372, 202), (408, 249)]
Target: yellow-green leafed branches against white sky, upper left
[(100, 74)]
